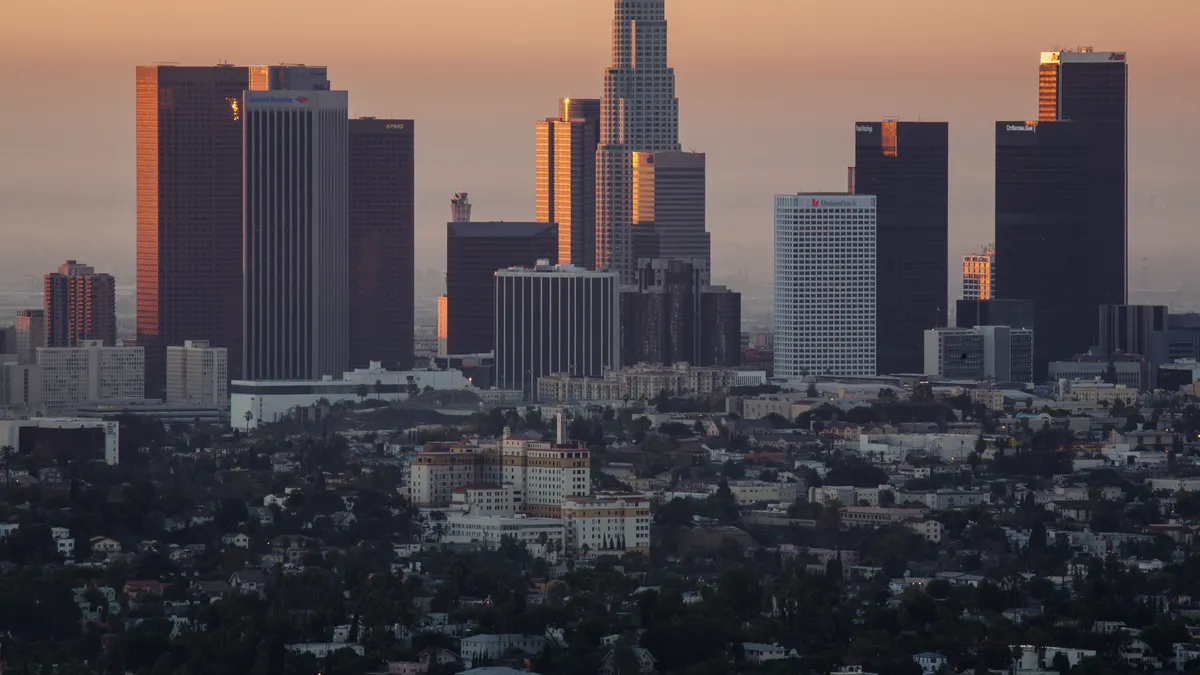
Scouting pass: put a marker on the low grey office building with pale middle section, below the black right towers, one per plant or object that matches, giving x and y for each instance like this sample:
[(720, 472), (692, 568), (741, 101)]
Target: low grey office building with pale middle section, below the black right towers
[(985, 353)]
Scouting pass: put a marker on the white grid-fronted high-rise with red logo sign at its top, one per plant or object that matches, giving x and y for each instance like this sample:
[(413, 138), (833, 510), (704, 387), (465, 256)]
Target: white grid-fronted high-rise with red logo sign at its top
[(825, 285)]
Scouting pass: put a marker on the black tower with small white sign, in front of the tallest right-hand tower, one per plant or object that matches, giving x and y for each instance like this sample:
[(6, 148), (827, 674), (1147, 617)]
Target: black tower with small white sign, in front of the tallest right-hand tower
[(1046, 242)]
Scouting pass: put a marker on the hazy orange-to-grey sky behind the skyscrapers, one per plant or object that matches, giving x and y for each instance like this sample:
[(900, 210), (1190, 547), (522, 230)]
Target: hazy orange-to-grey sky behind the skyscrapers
[(769, 88)]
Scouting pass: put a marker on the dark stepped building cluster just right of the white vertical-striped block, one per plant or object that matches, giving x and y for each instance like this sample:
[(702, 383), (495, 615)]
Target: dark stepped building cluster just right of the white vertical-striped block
[(675, 315)]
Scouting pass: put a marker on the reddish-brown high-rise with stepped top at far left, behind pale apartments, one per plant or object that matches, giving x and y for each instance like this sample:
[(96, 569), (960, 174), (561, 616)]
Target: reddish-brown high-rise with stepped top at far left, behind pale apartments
[(81, 306)]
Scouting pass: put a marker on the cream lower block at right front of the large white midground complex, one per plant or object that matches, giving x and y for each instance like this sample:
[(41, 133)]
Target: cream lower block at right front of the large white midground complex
[(608, 523)]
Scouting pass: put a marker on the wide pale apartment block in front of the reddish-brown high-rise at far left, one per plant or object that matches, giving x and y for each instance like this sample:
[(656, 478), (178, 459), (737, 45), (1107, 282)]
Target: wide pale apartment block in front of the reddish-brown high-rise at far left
[(91, 373)]
